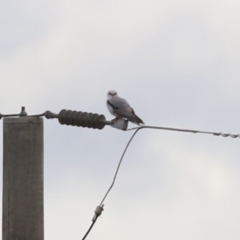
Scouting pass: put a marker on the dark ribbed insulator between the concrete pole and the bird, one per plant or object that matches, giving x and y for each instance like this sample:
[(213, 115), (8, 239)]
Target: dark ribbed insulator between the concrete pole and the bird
[(82, 119)]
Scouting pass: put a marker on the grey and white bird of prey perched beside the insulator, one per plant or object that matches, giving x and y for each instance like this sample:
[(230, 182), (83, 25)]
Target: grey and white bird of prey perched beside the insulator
[(120, 108)]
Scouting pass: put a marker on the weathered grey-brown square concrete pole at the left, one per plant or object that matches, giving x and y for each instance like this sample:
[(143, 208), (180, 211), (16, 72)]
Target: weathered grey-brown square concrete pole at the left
[(23, 179)]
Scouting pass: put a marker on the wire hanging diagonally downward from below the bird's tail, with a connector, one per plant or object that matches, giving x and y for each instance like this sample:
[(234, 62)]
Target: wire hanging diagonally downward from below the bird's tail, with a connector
[(100, 207)]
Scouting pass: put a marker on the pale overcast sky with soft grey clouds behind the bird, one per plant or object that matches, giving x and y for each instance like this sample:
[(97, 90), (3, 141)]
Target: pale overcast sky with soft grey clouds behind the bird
[(178, 65)]
